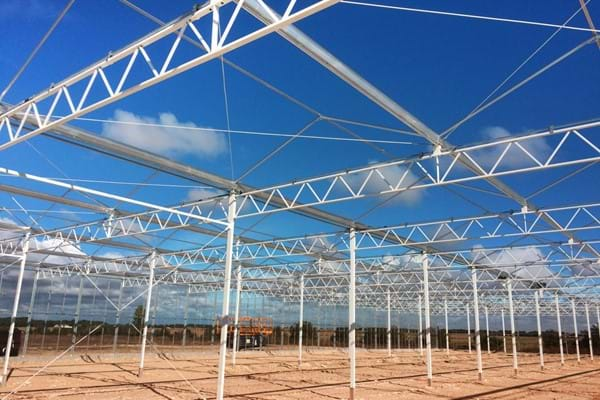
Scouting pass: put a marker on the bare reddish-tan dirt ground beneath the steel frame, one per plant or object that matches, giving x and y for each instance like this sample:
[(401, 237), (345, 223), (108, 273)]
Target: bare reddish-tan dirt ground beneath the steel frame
[(274, 374)]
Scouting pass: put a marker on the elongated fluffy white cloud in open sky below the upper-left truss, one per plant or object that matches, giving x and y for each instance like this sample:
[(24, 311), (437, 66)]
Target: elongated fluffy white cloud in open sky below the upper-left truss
[(165, 135)]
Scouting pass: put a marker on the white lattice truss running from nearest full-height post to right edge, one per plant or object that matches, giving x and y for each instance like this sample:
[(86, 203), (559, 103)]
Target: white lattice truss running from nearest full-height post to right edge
[(440, 167)]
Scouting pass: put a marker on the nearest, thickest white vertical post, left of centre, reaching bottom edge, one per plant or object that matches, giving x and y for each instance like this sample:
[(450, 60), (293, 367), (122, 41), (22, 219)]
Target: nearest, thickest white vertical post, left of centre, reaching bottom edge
[(231, 212)]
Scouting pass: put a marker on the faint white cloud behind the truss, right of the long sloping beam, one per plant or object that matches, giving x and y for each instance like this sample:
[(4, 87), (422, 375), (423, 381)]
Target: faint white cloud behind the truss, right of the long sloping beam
[(515, 157)]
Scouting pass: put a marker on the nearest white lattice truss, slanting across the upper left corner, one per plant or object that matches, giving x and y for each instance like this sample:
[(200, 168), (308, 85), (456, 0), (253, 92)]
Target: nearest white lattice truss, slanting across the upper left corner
[(216, 41)]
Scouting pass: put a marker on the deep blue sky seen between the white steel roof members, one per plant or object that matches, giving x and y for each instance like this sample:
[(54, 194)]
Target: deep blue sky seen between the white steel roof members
[(437, 67)]
